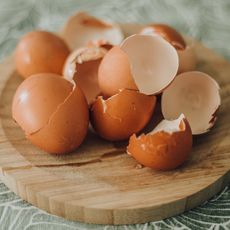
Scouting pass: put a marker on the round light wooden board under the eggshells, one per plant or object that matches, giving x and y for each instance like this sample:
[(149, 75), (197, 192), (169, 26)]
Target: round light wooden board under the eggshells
[(100, 183)]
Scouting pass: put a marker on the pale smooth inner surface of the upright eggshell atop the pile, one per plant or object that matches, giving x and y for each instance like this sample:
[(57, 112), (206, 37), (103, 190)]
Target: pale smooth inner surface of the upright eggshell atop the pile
[(153, 62)]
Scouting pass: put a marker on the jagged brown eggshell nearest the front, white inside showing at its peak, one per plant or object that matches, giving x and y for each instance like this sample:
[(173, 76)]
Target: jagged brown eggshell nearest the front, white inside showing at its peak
[(166, 147)]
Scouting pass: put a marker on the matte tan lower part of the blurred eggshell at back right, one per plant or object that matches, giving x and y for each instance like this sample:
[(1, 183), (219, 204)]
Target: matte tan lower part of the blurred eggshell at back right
[(187, 58)]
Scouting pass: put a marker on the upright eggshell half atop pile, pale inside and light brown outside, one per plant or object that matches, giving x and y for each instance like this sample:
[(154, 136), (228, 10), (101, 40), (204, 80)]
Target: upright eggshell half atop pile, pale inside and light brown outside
[(147, 63)]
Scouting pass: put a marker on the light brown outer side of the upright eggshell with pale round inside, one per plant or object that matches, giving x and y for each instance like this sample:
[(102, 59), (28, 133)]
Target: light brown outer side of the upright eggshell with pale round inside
[(114, 72)]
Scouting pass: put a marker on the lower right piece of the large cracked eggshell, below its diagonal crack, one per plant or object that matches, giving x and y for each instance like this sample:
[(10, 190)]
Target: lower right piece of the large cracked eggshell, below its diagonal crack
[(67, 127)]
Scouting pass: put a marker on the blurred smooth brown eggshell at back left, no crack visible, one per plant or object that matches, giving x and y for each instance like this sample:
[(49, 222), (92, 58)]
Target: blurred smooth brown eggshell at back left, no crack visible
[(40, 52)]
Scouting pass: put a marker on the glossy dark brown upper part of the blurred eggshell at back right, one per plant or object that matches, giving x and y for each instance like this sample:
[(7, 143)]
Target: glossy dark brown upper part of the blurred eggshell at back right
[(166, 32)]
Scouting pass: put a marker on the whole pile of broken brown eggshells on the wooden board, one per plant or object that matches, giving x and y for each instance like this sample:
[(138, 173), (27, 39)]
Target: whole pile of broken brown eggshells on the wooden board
[(90, 73)]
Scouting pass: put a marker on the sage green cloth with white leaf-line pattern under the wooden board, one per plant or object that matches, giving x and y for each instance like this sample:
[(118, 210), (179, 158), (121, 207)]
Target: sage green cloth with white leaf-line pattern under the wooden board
[(207, 20)]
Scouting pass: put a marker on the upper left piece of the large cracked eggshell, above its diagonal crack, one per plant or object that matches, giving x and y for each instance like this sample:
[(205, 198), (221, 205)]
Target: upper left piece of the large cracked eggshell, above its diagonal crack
[(32, 107)]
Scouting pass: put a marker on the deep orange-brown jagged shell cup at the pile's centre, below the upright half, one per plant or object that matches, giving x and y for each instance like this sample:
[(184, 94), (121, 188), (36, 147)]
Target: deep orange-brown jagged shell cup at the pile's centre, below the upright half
[(121, 115)]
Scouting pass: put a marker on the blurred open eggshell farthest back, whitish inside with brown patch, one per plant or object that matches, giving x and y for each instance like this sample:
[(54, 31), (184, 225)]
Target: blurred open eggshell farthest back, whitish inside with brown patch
[(82, 28)]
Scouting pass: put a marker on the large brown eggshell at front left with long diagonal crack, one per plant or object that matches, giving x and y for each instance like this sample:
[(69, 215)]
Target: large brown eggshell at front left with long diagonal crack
[(52, 111)]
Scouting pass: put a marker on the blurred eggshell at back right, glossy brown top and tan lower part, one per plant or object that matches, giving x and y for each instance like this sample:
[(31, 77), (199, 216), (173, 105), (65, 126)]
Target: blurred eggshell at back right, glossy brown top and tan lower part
[(184, 47)]
